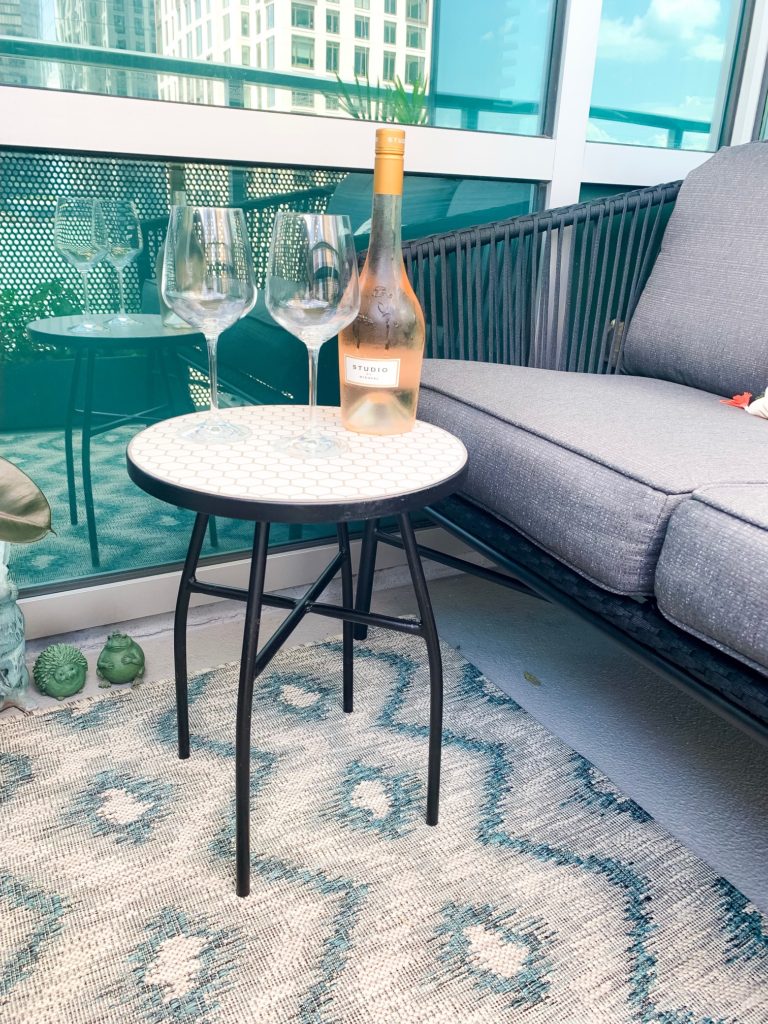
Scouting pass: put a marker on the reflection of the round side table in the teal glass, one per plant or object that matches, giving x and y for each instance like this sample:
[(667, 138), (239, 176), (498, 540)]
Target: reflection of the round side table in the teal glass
[(147, 333)]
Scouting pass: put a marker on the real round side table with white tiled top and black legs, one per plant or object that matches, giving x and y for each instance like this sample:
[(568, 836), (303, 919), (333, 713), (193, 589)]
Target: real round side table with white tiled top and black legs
[(258, 480)]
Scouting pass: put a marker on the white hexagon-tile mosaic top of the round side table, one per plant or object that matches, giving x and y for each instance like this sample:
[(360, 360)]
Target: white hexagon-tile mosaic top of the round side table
[(260, 470)]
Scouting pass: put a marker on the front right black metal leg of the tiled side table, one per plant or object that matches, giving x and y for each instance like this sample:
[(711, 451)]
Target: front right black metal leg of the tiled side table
[(436, 667)]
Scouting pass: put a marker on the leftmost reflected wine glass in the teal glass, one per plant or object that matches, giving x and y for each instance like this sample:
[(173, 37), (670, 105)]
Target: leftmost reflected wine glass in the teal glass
[(80, 236)]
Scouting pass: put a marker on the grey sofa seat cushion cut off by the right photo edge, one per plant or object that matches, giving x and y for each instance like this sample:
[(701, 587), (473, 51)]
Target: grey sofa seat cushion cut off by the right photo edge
[(712, 573)]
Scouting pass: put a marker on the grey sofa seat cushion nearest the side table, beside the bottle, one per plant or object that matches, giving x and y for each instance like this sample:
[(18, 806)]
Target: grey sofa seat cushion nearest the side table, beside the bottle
[(590, 467)]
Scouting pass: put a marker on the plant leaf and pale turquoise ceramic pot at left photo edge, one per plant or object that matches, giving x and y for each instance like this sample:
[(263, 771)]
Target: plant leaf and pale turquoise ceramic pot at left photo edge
[(25, 518)]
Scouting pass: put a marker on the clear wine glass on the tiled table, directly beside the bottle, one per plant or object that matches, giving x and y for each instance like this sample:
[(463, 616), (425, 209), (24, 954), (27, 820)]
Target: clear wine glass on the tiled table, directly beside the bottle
[(313, 292)]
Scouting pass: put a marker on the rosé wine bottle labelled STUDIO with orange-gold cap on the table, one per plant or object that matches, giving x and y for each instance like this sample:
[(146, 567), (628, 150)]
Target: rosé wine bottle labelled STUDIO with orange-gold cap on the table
[(381, 352)]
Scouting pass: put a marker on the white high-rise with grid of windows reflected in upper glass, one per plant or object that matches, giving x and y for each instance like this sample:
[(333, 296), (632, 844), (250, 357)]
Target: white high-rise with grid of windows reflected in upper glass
[(377, 41)]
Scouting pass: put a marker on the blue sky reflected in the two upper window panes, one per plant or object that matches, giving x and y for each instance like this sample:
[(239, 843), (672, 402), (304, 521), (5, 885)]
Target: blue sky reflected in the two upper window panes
[(662, 57)]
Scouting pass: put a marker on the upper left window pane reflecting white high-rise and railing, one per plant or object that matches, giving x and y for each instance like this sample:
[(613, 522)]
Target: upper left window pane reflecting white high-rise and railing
[(487, 71)]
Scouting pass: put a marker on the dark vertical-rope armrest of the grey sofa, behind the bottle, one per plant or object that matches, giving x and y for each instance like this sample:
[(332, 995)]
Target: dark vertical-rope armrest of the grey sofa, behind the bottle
[(554, 290)]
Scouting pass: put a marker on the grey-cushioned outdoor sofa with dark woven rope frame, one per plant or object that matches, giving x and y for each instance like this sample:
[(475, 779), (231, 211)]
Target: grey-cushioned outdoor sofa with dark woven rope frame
[(582, 355)]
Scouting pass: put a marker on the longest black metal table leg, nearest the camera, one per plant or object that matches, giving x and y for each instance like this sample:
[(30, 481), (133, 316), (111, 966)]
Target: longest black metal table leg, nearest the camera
[(245, 702)]
